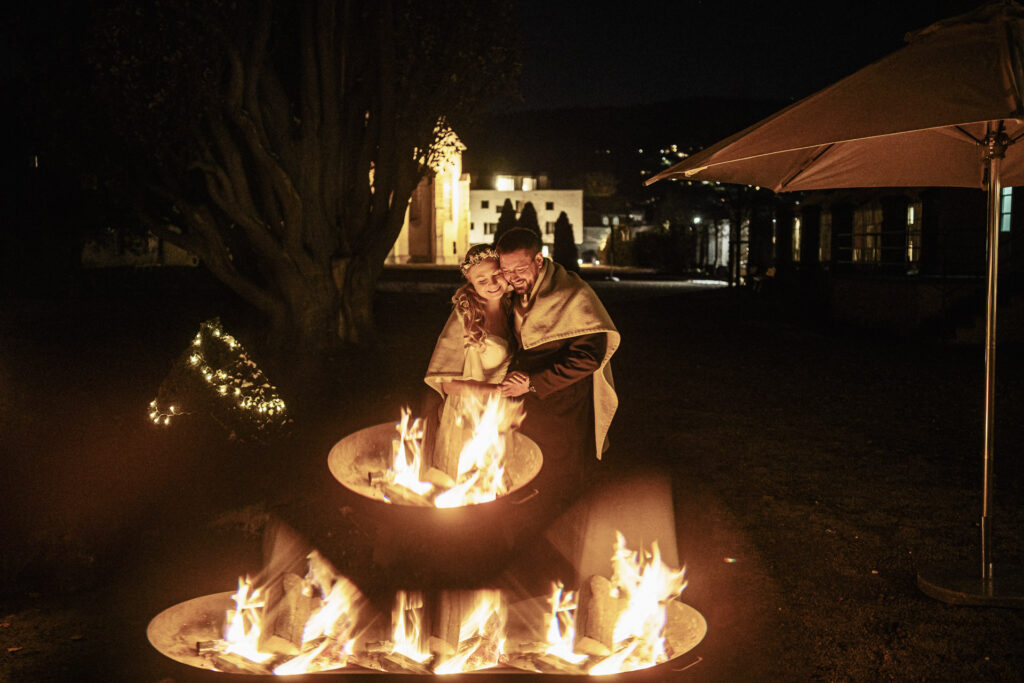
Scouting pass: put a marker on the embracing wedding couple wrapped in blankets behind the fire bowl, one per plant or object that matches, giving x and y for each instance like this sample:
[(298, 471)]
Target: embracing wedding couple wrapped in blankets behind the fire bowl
[(525, 327)]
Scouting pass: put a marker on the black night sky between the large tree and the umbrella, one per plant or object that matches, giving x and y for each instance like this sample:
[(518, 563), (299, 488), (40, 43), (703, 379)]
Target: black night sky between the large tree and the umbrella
[(606, 54)]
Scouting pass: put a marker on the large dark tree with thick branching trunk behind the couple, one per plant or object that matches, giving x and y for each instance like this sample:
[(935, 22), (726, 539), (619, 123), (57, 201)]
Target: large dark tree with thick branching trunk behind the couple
[(283, 140)]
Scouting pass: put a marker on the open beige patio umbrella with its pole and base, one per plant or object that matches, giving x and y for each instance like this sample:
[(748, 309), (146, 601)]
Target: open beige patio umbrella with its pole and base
[(946, 110)]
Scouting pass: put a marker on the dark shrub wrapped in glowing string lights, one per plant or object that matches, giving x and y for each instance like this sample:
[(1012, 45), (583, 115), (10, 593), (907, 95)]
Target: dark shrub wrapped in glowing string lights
[(217, 377)]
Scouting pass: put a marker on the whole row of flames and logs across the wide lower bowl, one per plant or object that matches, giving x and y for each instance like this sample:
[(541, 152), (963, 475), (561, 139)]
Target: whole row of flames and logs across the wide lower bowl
[(297, 625)]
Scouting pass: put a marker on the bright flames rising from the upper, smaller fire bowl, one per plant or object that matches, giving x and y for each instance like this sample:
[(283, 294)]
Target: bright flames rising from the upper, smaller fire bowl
[(481, 476)]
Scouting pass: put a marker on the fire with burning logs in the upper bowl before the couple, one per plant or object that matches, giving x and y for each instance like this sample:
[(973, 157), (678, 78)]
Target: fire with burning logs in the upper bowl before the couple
[(476, 475)]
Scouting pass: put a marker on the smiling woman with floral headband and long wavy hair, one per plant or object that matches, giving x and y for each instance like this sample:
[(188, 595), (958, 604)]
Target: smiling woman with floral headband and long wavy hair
[(475, 350)]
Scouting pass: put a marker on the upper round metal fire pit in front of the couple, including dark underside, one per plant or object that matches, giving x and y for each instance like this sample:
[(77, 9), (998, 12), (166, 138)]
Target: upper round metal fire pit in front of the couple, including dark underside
[(418, 539)]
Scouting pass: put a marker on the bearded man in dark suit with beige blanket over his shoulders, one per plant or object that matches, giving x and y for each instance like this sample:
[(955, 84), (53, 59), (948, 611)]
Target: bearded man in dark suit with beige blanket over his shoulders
[(562, 367)]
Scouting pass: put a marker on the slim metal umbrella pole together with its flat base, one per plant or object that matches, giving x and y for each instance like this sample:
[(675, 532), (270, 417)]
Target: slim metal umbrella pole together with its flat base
[(994, 586)]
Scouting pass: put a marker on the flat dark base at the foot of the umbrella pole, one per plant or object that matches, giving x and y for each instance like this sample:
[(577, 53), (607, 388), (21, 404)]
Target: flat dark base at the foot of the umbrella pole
[(963, 585)]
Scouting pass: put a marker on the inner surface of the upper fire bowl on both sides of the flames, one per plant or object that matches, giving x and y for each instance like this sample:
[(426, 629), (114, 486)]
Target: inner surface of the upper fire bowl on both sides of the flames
[(369, 452)]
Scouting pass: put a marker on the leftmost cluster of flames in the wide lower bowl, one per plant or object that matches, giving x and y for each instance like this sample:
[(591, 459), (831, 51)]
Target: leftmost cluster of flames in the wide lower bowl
[(327, 639)]
